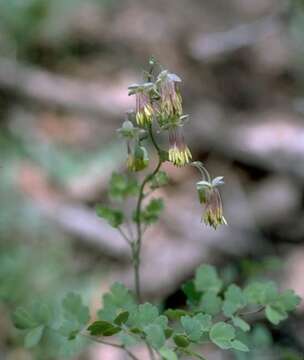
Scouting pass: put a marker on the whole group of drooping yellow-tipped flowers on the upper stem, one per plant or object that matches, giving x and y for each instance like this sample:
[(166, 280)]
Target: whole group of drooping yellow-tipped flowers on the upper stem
[(158, 102)]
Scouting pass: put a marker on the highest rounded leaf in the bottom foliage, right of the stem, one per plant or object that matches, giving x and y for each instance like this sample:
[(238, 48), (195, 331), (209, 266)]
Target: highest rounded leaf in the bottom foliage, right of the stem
[(206, 279)]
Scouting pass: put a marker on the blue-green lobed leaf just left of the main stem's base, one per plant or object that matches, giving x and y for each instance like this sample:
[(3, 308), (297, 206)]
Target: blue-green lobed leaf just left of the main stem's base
[(118, 300)]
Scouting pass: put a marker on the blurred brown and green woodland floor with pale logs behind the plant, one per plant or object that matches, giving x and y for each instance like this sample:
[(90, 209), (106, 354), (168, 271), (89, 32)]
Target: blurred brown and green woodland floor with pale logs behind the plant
[(64, 70)]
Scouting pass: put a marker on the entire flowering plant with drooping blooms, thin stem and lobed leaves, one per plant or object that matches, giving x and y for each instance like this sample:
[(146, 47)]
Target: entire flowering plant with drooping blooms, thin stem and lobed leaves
[(215, 312)]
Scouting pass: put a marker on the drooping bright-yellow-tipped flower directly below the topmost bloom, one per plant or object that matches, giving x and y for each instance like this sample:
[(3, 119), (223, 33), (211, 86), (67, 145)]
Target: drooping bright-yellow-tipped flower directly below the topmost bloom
[(179, 153)]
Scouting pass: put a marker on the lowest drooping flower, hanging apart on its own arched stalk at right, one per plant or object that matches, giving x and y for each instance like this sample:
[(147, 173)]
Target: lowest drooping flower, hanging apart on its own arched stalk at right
[(210, 197)]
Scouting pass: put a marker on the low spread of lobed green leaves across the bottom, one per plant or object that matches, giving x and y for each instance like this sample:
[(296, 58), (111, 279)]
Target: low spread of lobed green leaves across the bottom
[(173, 332)]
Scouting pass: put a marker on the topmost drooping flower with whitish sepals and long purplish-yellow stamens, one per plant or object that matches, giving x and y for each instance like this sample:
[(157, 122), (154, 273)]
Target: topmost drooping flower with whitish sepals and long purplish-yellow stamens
[(170, 97)]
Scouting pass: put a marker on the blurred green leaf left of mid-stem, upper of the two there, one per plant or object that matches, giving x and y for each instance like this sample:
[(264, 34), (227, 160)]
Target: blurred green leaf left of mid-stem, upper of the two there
[(121, 187)]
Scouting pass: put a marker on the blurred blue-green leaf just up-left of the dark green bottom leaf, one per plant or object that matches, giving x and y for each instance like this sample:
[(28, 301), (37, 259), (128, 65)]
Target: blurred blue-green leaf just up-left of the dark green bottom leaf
[(73, 309)]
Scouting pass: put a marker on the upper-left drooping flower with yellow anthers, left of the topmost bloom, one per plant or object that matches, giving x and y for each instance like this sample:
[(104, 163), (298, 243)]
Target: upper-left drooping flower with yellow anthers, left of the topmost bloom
[(144, 109)]
